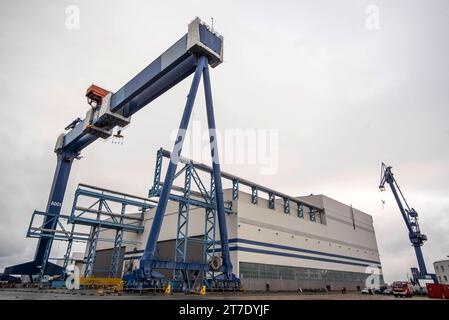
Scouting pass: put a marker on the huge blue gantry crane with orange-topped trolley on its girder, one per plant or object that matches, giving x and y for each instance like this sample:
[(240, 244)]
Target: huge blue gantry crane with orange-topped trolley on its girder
[(192, 54)]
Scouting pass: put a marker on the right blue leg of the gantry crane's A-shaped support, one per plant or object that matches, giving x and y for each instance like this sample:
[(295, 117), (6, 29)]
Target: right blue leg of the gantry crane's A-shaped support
[(217, 174)]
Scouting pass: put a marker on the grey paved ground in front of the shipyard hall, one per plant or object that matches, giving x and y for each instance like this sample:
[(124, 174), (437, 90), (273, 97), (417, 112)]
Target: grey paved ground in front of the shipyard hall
[(62, 294)]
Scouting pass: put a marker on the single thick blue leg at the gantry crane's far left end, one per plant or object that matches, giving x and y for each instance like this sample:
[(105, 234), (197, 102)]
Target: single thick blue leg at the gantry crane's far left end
[(57, 191)]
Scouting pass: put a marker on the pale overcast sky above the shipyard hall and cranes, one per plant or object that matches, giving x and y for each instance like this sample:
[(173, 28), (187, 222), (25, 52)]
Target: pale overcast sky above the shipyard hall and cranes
[(344, 94)]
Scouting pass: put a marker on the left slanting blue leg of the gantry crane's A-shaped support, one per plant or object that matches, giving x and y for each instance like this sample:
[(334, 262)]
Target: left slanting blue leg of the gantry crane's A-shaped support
[(148, 255)]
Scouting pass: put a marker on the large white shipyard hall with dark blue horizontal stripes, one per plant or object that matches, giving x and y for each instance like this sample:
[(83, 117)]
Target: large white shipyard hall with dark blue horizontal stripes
[(270, 249)]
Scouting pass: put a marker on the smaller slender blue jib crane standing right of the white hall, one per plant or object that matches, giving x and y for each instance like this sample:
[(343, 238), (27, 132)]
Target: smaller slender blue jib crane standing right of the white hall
[(410, 217)]
